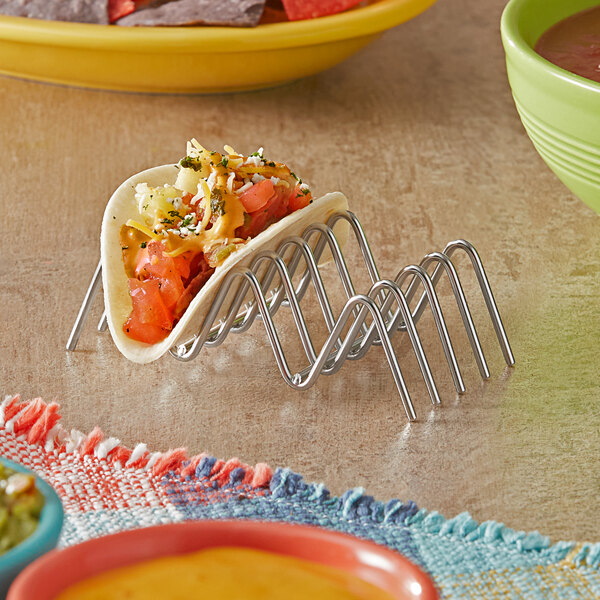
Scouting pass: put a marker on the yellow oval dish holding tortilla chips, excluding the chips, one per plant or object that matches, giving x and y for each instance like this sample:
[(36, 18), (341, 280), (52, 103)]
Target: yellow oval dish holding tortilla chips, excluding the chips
[(191, 59)]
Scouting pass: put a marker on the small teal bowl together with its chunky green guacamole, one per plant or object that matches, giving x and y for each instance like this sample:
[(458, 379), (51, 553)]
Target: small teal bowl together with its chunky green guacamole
[(31, 518)]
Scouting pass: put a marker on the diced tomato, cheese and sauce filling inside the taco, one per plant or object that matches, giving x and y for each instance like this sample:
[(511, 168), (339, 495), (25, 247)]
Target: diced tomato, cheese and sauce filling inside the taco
[(184, 231)]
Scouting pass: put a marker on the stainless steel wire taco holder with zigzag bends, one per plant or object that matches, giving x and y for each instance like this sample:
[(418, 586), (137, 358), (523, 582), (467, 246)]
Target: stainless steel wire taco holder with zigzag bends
[(366, 320)]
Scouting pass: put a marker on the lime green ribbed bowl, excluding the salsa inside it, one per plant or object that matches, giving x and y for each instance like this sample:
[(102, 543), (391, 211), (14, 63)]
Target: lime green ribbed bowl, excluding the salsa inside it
[(560, 110)]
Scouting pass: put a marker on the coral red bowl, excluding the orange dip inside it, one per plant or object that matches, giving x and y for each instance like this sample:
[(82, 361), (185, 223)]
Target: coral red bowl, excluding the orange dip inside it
[(48, 576)]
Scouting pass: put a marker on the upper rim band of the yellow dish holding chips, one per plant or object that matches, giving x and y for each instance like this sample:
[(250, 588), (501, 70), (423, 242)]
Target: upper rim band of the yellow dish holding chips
[(358, 22)]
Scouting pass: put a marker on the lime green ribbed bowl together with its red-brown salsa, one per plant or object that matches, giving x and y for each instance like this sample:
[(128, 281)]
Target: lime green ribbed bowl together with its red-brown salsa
[(552, 59)]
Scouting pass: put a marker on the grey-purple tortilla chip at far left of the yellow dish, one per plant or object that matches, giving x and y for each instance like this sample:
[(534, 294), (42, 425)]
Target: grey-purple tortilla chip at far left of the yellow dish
[(76, 11)]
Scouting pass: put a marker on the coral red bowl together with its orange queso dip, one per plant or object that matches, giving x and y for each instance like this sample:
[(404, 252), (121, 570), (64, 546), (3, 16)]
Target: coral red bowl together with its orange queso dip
[(228, 560)]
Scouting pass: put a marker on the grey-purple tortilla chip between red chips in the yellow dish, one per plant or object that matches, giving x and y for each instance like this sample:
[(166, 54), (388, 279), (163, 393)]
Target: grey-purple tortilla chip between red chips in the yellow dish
[(239, 13)]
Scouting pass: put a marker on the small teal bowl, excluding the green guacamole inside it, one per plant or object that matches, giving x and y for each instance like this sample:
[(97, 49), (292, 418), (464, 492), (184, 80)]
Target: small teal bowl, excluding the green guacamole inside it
[(43, 539)]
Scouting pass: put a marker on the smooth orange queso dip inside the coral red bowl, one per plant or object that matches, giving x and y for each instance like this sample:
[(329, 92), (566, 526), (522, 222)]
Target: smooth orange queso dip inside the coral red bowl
[(227, 574)]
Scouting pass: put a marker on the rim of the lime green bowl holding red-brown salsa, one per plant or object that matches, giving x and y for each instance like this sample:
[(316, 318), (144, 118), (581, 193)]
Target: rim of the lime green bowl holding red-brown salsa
[(512, 38)]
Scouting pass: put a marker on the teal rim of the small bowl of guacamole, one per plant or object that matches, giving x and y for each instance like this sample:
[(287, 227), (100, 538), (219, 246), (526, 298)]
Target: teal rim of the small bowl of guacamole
[(49, 525)]
